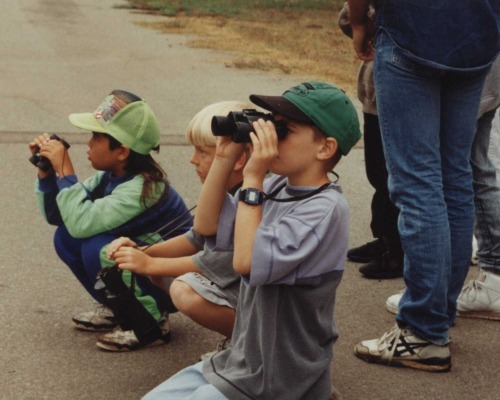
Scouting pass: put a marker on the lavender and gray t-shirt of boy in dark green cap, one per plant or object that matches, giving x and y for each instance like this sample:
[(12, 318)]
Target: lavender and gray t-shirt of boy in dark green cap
[(284, 331)]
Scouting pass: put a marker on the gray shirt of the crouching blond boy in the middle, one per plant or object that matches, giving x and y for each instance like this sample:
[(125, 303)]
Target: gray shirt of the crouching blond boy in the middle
[(216, 265)]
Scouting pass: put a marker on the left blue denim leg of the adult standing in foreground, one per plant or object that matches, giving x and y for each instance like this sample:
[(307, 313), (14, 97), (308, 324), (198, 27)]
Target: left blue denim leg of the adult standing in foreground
[(408, 100)]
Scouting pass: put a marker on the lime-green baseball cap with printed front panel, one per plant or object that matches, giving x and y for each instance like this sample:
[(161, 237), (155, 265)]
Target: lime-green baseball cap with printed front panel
[(130, 121)]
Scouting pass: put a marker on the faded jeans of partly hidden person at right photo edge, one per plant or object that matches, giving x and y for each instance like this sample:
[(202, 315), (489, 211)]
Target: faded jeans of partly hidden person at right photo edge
[(486, 196)]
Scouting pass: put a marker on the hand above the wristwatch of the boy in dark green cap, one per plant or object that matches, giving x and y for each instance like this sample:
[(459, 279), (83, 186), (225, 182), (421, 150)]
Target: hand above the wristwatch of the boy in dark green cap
[(264, 150)]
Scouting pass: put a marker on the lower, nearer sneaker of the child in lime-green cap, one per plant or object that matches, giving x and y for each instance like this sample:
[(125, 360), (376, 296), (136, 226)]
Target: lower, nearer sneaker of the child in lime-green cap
[(120, 340)]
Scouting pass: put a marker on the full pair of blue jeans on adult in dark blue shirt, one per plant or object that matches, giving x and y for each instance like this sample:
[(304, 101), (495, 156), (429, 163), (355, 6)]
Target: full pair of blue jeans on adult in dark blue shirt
[(428, 118)]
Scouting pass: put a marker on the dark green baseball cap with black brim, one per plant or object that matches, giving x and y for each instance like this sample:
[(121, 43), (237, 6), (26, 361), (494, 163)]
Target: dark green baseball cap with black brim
[(320, 104)]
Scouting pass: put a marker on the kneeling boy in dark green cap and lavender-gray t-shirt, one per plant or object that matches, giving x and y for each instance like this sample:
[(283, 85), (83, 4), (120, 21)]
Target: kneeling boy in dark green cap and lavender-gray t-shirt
[(290, 235)]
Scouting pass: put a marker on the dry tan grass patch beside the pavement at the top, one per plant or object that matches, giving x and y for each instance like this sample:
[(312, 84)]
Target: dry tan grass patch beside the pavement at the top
[(308, 43)]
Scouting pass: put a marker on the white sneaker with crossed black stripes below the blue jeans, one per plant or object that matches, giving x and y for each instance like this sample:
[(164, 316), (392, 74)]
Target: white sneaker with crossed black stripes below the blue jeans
[(401, 348)]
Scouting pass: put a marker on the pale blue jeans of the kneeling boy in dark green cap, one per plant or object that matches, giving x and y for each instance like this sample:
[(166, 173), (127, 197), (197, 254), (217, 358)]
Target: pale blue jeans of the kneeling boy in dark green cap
[(187, 384)]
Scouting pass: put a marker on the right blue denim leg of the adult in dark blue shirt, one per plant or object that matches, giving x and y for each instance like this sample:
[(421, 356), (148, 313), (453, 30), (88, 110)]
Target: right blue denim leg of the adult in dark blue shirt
[(460, 101)]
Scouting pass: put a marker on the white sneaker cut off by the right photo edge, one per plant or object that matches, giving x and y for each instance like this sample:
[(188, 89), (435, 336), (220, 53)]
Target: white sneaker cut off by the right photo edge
[(480, 298)]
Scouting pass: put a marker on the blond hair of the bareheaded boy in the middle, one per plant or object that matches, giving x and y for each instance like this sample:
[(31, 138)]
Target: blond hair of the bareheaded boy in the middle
[(199, 130)]
